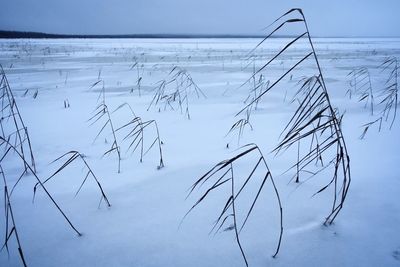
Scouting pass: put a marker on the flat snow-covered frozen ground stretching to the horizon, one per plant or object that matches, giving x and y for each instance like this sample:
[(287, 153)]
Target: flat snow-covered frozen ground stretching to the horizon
[(141, 228)]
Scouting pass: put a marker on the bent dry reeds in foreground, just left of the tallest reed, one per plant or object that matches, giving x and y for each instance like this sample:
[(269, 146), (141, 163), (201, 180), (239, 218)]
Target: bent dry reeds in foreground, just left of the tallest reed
[(223, 175)]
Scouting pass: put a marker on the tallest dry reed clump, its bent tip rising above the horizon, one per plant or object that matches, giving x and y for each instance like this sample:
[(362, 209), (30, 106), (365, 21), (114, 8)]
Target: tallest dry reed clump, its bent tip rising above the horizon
[(315, 119)]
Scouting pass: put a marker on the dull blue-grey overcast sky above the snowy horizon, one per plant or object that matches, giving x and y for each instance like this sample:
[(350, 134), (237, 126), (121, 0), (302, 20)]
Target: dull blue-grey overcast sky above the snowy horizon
[(325, 17)]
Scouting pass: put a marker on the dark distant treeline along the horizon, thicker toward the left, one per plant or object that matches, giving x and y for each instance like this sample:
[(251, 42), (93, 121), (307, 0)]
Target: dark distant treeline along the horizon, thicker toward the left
[(18, 34)]
